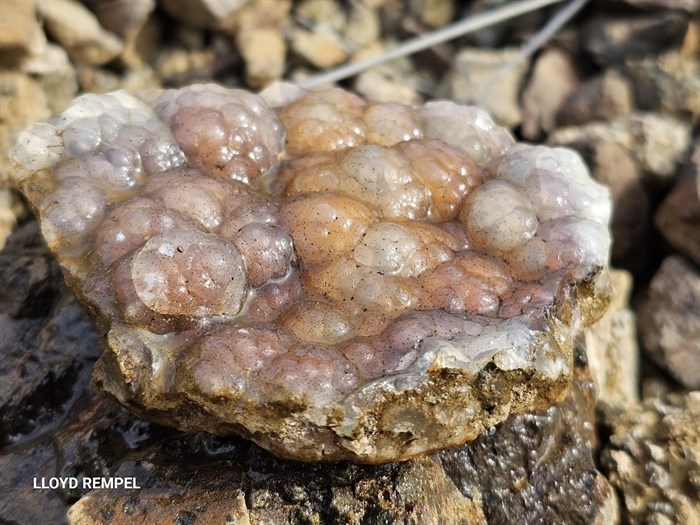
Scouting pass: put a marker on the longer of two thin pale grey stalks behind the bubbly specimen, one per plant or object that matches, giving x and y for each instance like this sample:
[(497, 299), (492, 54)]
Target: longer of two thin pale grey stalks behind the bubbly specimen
[(467, 25)]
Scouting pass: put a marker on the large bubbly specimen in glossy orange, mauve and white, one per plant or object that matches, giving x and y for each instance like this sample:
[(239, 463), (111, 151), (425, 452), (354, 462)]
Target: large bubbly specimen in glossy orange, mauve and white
[(332, 278)]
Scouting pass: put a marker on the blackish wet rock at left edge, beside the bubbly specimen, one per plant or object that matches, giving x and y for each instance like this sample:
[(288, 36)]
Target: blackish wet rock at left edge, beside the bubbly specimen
[(46, 340)]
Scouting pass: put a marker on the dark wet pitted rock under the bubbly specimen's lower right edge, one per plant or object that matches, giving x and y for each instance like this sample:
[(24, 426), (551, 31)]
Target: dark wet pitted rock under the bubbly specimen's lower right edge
[(538, 467)]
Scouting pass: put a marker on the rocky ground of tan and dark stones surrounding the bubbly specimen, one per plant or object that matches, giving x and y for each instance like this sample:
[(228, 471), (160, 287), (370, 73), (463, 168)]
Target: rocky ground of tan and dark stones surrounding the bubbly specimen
[(621, 84)]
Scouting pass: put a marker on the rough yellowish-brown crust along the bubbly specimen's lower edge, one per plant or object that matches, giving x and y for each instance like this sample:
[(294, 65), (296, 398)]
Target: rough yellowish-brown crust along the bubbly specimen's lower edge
[(433, 404)]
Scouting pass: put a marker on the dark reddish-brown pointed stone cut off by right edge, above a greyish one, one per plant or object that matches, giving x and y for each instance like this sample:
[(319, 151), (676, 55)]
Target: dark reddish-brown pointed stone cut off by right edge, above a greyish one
[(678, 217)]
